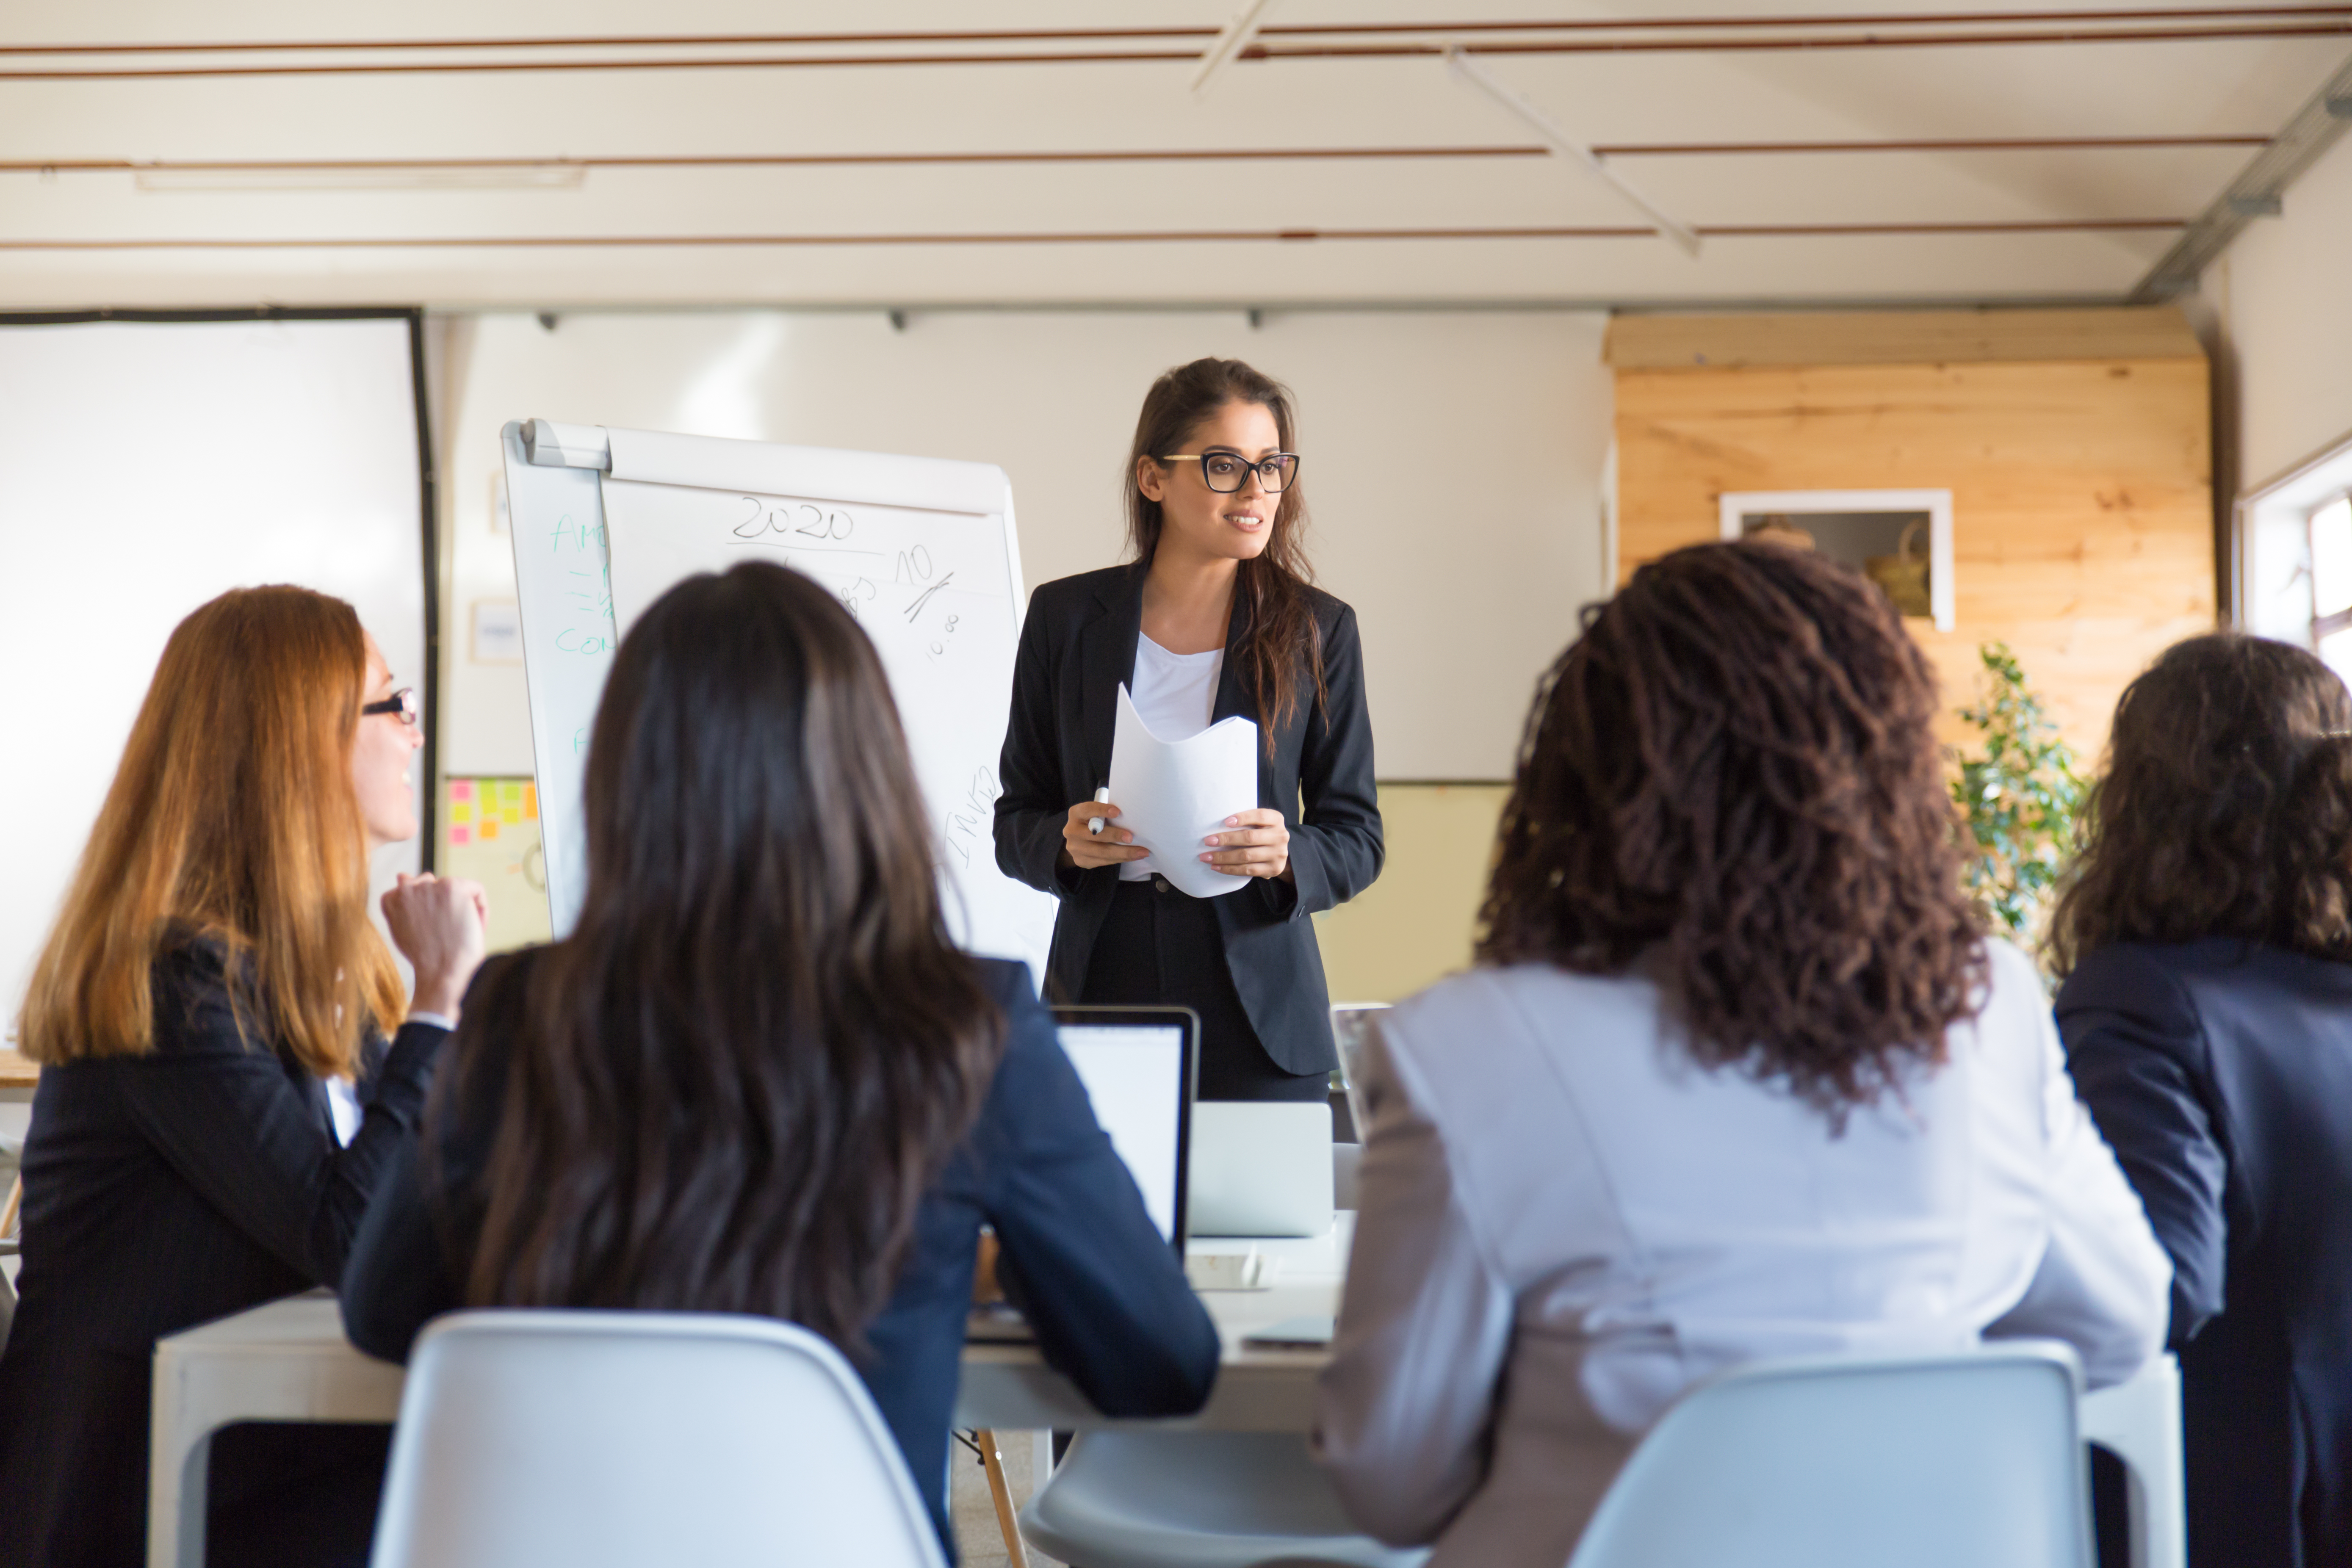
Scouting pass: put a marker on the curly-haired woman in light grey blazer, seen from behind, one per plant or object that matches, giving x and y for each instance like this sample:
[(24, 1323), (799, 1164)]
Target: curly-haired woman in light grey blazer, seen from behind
[(1737, 1076)]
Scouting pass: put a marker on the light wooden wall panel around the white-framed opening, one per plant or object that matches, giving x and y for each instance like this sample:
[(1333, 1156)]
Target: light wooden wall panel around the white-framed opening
[(2083, 521)]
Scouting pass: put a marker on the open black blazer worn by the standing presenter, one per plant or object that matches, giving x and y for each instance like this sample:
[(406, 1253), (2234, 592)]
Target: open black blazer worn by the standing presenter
[(1078, 648)]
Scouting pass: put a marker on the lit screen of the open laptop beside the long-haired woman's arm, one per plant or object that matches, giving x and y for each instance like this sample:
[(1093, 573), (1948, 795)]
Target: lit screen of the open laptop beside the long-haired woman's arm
[(1137, 1066)]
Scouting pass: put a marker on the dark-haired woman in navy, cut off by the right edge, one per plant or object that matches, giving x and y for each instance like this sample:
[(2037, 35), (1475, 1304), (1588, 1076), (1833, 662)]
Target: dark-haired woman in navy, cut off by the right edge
[(2207, 1012)]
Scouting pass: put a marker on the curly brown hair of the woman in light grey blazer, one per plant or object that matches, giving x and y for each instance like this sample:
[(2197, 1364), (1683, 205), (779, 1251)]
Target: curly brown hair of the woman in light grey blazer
[(1735, 772)]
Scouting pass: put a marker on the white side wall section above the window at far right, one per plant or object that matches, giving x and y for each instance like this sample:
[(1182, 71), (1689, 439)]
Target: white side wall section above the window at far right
[(2285, 297)]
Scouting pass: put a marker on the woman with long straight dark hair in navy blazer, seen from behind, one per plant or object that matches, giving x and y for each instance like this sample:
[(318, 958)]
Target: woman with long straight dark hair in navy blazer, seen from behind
[(759, 1078)]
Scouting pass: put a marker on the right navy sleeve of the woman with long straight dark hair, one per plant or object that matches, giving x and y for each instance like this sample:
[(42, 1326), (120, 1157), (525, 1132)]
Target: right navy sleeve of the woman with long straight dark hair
[(1081, 1257)]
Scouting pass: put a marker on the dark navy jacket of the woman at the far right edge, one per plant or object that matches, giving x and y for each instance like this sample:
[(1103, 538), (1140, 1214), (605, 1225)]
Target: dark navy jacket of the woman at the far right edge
[(2221, 1073)]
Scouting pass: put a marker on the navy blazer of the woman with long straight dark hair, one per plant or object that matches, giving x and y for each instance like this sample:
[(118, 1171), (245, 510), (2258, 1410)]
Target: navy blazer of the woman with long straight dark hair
[(1078, 1252)]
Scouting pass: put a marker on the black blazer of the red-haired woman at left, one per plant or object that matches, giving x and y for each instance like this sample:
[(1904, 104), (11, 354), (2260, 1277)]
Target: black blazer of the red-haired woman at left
[(161, 1193)]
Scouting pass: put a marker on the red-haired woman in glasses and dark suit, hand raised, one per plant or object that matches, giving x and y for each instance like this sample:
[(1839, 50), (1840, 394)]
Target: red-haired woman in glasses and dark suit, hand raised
[(185, 1158)]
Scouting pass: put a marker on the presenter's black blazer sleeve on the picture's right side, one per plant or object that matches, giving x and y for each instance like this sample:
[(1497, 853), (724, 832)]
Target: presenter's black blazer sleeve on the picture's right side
[(1337, 845)]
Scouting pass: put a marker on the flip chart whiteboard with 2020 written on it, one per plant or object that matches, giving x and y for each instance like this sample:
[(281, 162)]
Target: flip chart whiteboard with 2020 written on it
[(921, 551)]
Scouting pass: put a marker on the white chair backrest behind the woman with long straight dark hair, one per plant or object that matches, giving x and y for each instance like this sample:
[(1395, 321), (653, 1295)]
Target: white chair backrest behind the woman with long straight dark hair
[(592, 1440)]
